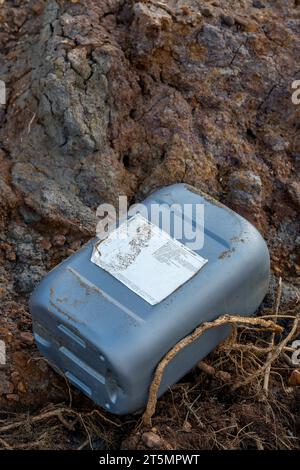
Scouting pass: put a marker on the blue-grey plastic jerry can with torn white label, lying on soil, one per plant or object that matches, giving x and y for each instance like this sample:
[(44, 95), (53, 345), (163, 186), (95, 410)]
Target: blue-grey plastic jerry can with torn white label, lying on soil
[(108, 314)]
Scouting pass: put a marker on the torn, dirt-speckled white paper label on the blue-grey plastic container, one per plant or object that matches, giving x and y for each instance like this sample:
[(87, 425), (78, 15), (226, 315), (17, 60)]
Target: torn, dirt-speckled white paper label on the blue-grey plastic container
[(146, 259)]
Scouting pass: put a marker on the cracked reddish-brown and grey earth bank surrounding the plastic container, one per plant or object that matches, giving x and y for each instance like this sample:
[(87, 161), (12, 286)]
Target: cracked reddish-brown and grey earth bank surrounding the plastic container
[(120, 97)]
